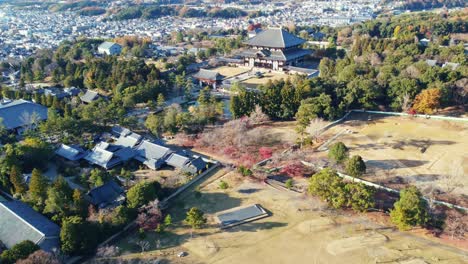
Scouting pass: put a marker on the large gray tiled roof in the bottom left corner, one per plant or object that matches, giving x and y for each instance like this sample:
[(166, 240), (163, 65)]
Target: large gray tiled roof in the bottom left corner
[(19, 222)]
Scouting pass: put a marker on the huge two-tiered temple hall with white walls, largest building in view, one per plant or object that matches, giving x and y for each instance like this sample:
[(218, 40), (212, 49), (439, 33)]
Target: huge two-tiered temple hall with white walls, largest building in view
[(274, 49)]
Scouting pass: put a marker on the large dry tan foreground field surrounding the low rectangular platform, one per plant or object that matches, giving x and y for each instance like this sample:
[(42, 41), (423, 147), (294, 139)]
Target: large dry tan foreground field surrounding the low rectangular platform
[(299, 230)]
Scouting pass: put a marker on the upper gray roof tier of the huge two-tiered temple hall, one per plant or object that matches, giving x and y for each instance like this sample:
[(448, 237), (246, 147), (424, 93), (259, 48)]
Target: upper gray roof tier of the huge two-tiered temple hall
[(275, 38)]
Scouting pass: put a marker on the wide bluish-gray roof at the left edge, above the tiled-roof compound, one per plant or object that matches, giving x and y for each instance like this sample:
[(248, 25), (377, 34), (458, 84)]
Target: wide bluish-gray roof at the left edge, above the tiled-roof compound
[(19, 113)]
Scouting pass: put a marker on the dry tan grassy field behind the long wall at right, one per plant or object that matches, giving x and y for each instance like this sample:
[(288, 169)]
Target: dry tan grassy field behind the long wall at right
[(425, 152)]
